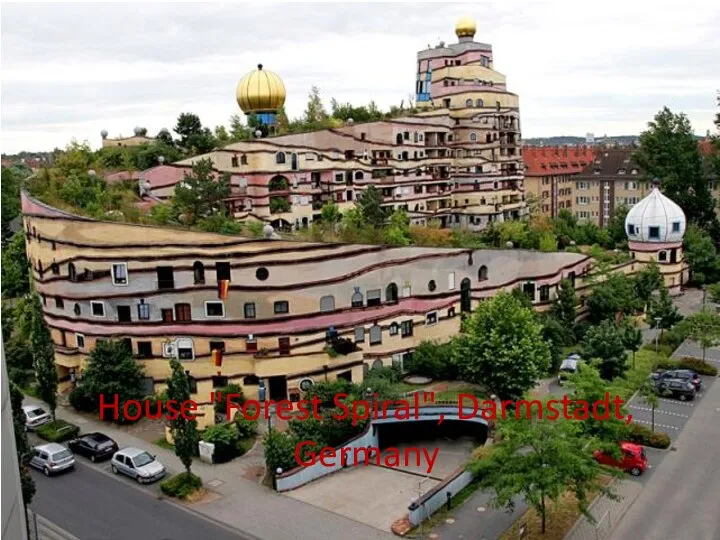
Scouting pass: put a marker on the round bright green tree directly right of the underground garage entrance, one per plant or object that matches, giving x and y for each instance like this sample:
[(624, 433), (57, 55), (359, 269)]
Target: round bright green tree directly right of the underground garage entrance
[(501, 346)]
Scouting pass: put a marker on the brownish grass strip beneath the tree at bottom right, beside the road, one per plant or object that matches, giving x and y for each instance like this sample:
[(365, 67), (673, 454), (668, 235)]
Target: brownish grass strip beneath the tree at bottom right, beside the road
[(561, 516)]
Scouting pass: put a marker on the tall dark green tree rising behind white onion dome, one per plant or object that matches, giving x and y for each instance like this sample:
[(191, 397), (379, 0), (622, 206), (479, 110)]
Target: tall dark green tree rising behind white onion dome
[(669, 151)]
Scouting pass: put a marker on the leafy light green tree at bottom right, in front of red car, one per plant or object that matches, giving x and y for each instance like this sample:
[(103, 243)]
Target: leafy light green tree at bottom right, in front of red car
[(540, 460)]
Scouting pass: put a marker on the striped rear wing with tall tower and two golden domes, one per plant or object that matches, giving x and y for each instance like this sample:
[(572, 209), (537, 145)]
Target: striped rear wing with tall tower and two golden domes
[(458, 162)]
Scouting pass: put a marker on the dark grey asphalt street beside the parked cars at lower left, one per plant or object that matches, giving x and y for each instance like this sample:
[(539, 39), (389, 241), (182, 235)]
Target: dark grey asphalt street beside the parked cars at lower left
[(94, 506)]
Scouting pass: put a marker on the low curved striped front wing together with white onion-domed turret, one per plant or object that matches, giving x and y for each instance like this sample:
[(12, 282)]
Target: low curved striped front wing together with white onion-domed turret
[(260, 311)]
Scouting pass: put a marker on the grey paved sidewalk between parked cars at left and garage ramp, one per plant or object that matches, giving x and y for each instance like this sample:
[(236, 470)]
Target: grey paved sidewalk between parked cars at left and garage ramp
[(243, 504)]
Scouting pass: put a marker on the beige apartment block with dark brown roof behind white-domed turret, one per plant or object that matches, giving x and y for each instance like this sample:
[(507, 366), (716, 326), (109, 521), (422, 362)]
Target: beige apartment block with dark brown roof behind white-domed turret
[(610, 180)]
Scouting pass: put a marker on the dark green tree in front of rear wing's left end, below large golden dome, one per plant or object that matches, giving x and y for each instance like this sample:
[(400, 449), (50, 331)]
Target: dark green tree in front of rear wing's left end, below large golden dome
[(200, 194)]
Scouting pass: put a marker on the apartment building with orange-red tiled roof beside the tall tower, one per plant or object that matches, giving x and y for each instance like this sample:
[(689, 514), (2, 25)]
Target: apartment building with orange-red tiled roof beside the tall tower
[(550, 173)]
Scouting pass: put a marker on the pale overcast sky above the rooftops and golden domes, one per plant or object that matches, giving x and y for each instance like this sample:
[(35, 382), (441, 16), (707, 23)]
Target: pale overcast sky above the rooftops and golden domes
[(69, 71)]
